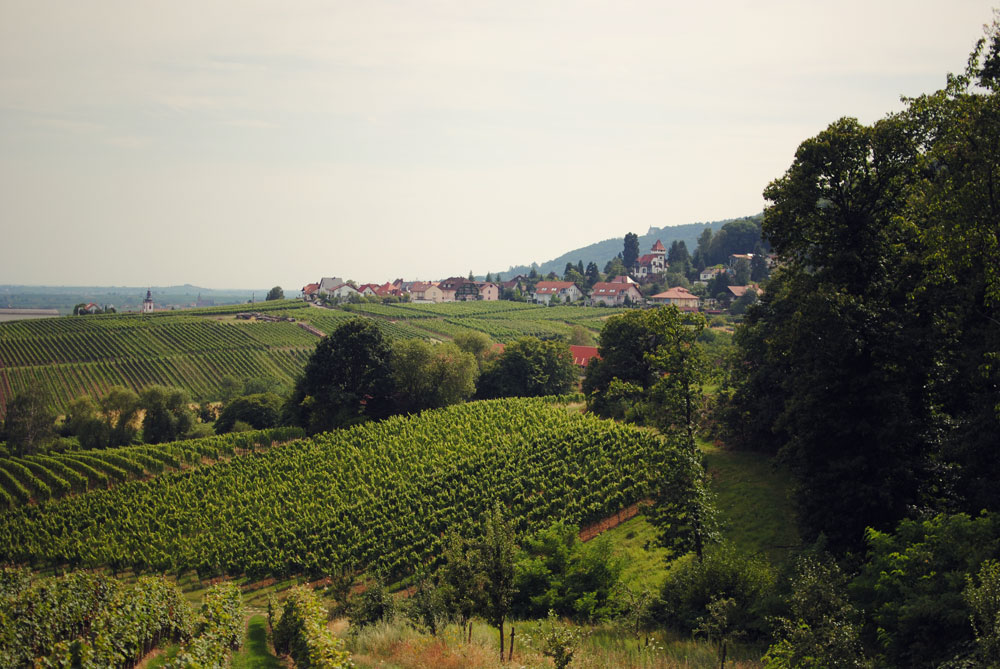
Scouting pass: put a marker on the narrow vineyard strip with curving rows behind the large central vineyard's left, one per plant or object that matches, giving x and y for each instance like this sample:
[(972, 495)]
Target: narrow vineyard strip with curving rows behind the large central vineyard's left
[(36, 478)]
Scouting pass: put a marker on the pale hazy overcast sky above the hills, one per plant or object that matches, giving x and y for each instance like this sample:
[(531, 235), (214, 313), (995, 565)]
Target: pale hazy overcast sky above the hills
[(251, 143)]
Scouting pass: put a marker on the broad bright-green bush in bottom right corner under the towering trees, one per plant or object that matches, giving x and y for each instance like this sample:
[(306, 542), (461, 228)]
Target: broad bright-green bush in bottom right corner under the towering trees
[(912, 583)]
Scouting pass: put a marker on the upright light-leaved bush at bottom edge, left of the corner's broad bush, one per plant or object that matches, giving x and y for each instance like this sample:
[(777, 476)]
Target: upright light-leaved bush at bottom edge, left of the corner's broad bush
[(824, 628)]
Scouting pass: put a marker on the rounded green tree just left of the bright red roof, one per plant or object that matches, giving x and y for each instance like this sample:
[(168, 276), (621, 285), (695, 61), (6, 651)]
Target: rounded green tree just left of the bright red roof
[(528, 367)]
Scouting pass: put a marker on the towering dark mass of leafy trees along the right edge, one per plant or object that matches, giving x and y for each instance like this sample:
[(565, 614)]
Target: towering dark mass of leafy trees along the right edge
[(870, 362)]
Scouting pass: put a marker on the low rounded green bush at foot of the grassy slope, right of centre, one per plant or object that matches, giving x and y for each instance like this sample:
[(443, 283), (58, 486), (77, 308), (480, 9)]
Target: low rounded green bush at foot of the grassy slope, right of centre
[(692, 584)]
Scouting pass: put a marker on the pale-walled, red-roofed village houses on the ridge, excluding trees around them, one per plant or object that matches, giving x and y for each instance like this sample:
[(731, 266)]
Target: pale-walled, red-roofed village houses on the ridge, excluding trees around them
[(618, 291)]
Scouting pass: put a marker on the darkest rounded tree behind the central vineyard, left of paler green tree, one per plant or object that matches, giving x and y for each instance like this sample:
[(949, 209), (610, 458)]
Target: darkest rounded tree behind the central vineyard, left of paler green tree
[(347, 380)]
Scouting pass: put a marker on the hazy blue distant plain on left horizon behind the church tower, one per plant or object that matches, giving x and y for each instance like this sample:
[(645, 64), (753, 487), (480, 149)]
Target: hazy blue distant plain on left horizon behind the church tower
[(123, 298)]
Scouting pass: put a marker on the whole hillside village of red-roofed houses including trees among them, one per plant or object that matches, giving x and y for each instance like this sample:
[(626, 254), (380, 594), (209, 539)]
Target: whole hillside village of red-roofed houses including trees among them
[(723, 287)]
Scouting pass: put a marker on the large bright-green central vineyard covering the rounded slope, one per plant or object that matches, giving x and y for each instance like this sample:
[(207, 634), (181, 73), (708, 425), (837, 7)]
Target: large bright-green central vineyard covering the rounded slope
[(380, 495)]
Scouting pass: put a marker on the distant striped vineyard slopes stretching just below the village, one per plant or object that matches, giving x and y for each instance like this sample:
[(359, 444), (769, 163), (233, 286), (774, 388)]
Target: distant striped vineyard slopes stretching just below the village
[(74, 356)]
